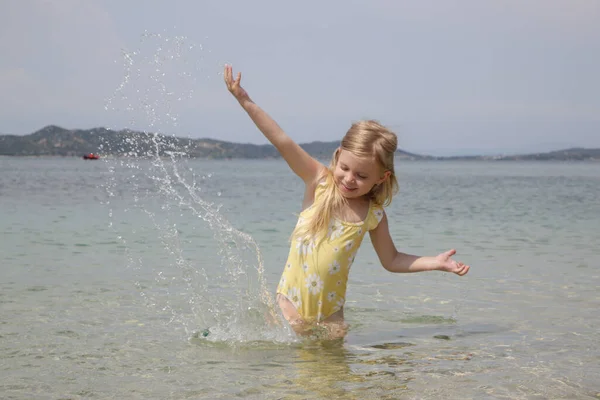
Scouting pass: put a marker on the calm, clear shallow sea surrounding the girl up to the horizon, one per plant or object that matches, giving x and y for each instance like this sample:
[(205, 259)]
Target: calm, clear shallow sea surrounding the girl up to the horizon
[(129, 278)]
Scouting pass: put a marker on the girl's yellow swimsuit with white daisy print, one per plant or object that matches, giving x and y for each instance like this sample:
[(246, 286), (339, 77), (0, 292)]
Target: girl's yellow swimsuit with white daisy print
[(315, 277)]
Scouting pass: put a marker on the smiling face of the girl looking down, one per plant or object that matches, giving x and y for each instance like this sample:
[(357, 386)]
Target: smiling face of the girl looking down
[(355, 176)]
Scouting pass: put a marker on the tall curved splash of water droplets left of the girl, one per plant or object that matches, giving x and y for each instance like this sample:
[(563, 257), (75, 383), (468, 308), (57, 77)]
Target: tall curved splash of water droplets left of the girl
[(153, 176)]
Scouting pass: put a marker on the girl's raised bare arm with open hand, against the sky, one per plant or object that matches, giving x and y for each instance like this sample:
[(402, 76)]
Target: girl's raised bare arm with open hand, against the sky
[(303, 165)]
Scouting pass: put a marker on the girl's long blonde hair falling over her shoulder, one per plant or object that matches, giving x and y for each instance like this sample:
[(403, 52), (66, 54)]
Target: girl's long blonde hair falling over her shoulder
[(364, 139)]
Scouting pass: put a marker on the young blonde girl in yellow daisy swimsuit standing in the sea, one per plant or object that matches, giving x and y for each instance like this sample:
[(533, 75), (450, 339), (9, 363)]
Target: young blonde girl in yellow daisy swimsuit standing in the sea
[(341, 204)]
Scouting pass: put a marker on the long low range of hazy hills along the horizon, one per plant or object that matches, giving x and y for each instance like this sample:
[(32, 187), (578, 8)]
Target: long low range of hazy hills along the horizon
[(56, 141)]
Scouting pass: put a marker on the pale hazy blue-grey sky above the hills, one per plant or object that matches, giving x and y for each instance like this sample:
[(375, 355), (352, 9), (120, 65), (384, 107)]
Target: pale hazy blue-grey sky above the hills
[(448, 76)]
